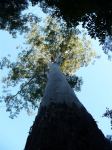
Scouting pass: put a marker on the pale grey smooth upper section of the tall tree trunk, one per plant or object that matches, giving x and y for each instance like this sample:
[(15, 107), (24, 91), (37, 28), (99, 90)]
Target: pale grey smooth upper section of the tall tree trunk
[(57, 89)]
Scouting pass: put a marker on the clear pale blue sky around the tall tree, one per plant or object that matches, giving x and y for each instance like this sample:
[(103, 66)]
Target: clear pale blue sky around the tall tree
[(96, 95)]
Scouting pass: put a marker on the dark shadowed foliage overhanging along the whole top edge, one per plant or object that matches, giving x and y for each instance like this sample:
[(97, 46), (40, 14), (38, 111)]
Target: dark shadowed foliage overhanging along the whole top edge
[(96, 16)]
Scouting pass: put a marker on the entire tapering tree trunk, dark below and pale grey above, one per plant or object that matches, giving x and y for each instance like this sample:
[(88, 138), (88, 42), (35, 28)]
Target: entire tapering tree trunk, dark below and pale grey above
[(62, 122)]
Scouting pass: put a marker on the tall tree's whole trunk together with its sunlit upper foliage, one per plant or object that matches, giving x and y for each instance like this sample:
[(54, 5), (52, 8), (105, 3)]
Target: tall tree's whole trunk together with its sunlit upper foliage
[(62, 121)]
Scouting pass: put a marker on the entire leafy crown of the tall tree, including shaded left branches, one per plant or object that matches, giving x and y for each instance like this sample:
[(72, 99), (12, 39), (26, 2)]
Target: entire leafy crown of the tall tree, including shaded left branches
[(46, 42)]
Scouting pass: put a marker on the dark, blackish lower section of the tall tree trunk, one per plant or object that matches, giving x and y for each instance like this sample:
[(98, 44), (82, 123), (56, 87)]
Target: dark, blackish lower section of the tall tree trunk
[(63, 127)]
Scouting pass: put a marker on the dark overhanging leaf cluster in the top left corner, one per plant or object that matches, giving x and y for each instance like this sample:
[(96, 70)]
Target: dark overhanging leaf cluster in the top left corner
[(11, 17)]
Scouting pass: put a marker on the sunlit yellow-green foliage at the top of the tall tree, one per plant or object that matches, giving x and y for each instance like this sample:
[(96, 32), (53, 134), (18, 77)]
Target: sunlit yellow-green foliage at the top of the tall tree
[(54, 39)]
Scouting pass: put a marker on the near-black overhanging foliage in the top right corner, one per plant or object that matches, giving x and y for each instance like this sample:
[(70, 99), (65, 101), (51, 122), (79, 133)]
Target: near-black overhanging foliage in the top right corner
[(96, 15)]
